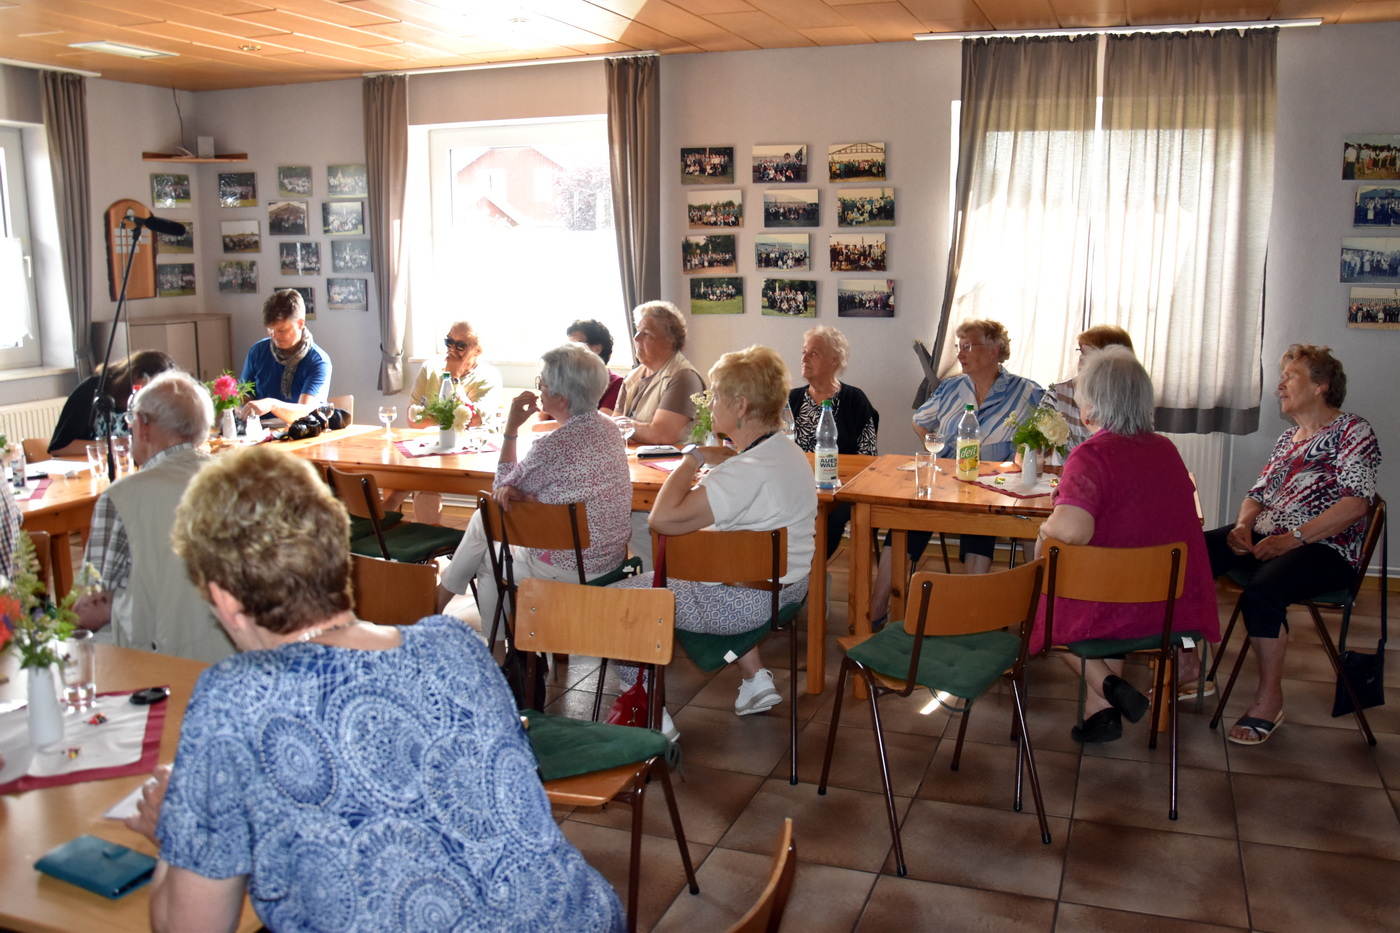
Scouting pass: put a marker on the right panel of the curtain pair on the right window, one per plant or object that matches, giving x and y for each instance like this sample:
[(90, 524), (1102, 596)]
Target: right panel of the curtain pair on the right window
[(1188, 184)]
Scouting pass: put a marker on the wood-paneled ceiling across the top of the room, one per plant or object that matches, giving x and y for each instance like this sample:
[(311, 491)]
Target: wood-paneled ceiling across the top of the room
[(232, 44)]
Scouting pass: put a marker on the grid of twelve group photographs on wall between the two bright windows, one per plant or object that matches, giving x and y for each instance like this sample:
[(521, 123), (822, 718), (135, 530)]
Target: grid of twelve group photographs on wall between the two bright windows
[(783, 207)]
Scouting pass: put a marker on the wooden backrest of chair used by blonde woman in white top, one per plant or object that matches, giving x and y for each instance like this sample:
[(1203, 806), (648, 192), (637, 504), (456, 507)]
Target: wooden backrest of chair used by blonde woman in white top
[(738, 558)]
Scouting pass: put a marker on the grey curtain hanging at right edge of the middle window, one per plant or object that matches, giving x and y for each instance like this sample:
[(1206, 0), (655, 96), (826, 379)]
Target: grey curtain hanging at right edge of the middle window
[(635, 146)]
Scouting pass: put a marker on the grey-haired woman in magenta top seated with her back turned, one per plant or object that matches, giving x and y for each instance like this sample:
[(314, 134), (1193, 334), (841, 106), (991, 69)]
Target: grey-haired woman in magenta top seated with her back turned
[(1101, 504)]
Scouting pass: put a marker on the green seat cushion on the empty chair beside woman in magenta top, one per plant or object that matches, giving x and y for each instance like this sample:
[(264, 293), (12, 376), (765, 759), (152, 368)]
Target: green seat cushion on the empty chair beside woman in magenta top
[(961, 665)]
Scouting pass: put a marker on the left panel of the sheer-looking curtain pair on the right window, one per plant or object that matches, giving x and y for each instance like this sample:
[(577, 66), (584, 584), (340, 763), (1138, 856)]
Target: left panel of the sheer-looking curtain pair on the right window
[(1024, 198)]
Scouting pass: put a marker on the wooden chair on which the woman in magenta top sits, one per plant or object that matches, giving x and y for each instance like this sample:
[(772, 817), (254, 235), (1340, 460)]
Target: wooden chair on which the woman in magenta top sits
[(1125, 576)]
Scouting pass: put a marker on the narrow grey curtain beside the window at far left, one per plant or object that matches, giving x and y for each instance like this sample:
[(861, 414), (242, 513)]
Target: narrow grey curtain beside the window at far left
[(65, 118)]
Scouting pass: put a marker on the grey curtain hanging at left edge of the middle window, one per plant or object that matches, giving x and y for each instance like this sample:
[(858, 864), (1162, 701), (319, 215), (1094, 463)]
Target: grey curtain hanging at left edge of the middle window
[(387, 166)]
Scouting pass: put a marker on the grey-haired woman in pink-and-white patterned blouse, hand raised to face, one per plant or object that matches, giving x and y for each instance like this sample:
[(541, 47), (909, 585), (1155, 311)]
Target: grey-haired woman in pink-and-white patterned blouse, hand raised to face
[(583, 460)]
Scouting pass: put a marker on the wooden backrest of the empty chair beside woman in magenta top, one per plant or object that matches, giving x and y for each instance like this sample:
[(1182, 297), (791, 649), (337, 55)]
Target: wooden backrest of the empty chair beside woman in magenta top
[(965, 604)]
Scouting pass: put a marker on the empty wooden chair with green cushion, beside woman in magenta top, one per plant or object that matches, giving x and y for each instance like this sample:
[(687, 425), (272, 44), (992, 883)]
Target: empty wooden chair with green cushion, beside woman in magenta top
[(957, 648)]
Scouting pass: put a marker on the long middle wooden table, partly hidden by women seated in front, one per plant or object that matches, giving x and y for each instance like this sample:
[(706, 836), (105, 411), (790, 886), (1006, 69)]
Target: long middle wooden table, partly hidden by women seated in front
[(472, 476)]
